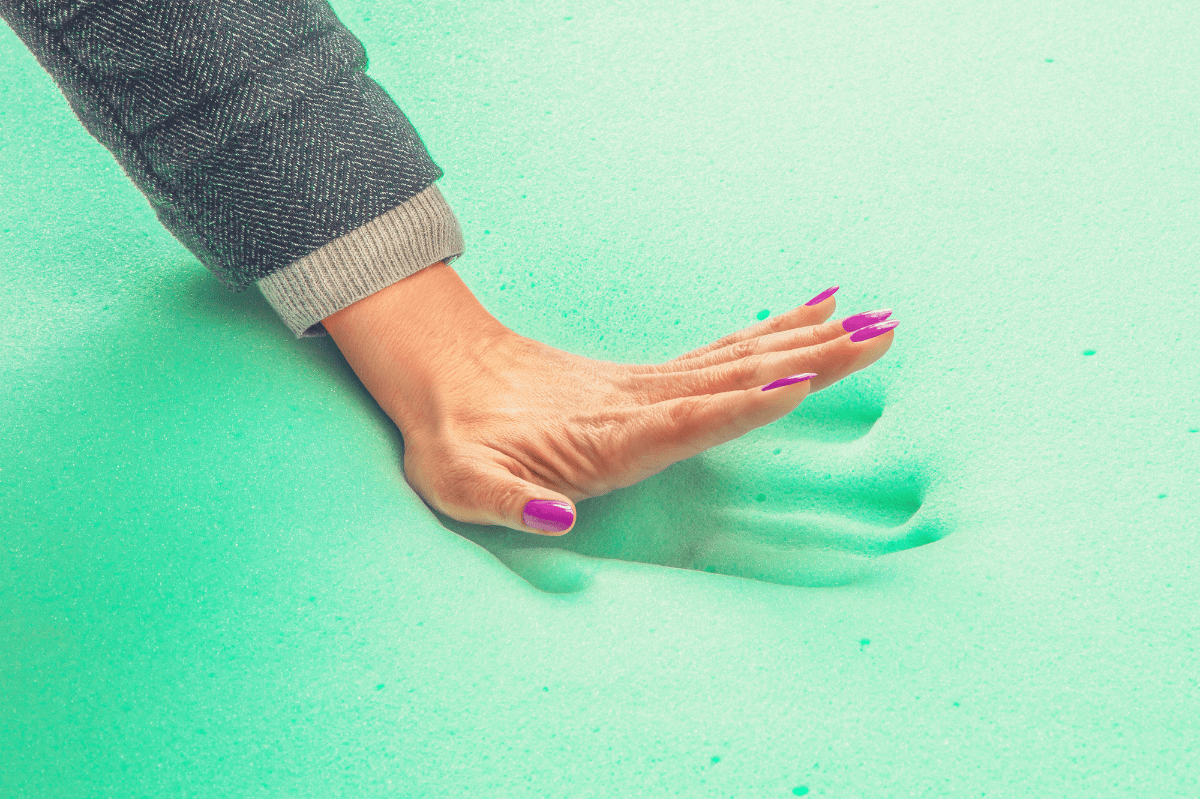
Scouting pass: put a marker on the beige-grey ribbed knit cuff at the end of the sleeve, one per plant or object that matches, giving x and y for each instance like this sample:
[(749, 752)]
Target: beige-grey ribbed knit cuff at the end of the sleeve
[(411, 237)]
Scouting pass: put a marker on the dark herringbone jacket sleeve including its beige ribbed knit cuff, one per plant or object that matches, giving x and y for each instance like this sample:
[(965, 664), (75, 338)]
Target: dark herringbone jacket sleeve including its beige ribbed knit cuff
[(259, 140)]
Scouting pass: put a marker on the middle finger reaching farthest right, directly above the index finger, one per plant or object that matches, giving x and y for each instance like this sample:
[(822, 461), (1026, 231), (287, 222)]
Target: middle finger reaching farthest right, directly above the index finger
[(831, 361)]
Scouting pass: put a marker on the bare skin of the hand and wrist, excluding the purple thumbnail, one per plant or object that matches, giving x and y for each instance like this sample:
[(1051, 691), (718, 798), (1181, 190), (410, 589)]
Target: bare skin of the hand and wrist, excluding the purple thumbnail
[(493, 419)]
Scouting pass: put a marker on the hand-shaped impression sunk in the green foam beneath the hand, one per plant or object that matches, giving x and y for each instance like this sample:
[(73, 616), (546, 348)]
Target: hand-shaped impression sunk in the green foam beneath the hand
[(800, 502)]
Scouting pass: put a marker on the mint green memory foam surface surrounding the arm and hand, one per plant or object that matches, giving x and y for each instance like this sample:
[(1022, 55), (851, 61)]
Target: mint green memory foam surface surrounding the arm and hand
[(215, 580)]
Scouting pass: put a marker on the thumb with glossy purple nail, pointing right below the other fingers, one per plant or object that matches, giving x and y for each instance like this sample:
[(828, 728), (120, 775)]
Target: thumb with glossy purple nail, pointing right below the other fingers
[(496, 496)]
